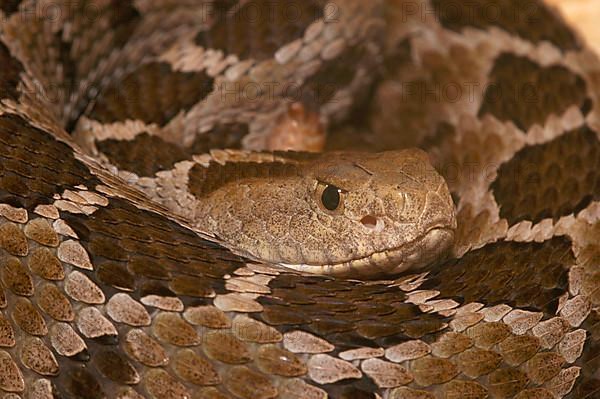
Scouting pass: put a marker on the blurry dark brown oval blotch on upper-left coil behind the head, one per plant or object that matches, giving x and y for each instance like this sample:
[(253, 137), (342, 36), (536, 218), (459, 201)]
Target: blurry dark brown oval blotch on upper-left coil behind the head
[(165, 94)]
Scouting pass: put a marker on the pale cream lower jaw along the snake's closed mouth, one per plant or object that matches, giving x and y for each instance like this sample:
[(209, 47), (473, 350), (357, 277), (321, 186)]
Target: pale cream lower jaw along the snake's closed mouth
[(415, 254)]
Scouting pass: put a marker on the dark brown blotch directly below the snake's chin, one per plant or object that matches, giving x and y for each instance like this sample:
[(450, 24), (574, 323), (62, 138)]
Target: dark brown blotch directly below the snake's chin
[(347, 314)]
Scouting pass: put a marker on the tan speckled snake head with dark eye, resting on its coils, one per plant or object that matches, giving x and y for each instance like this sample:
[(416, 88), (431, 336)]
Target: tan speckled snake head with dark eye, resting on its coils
[(345, 214)]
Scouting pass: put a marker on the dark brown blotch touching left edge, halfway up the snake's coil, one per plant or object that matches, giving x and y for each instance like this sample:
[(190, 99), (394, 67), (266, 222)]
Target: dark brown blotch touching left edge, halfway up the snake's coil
[(25, 183)]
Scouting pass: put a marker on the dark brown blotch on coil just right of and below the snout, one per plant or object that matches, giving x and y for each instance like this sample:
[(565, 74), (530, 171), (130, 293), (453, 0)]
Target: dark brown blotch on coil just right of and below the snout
[(525, 275)]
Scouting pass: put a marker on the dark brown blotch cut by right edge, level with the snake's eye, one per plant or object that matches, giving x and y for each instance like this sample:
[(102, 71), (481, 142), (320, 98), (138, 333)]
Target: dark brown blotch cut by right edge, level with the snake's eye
[(550, 180)]
